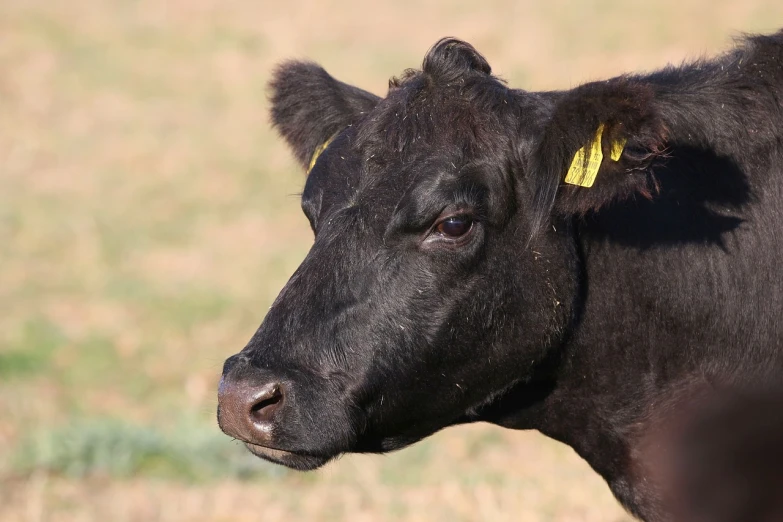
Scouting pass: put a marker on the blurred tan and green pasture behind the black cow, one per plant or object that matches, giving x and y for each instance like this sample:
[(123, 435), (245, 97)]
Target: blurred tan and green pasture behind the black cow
[(149, 215)]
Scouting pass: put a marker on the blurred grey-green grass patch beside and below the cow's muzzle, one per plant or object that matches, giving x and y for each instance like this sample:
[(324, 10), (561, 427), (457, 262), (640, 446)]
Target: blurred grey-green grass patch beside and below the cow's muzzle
[(107, 447)]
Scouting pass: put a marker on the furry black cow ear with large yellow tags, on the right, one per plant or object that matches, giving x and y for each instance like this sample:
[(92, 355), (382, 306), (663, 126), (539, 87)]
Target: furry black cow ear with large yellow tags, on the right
[(597, 146)]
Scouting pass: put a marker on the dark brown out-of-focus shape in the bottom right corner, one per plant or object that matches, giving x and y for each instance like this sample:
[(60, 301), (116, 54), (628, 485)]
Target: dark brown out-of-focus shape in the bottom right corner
[(728, 463)]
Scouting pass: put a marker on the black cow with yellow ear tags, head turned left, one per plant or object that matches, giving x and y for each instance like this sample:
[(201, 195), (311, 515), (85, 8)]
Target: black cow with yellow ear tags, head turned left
[(467, 267)]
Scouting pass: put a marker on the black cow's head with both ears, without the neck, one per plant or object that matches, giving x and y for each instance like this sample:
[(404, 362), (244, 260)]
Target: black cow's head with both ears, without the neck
[(443, 271)]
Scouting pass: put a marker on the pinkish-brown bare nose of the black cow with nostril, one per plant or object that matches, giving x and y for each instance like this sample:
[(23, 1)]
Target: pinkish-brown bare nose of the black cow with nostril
[(246, 411)]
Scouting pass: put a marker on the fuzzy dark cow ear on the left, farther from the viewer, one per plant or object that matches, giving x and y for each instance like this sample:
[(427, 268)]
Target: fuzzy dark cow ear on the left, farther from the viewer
[(309, 106)]
